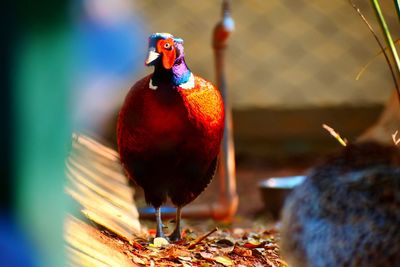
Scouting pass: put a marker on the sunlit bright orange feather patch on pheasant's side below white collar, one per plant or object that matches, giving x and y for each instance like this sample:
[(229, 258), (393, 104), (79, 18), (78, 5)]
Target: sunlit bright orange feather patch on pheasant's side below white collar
[(204, 105)]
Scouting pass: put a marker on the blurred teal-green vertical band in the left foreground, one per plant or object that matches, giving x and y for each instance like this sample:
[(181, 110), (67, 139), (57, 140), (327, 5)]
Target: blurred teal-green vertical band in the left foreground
[(41, 76)]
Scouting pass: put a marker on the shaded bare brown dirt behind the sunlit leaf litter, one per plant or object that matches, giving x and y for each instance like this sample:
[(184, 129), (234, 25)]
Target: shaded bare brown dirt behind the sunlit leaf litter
[(249, 172)]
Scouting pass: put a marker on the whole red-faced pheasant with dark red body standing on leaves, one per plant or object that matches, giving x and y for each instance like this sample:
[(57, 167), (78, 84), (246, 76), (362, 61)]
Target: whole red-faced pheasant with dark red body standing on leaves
[(170, 129)]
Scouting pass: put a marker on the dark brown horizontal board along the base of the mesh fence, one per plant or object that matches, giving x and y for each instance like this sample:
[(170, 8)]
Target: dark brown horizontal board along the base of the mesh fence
[(262, 133)]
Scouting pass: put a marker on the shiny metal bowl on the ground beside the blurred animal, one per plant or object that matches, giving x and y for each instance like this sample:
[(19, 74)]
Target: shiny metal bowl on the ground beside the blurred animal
[(274, 191)]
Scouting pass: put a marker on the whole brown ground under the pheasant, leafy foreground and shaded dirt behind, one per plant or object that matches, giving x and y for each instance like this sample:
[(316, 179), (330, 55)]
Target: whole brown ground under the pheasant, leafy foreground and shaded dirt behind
[(250, 240)]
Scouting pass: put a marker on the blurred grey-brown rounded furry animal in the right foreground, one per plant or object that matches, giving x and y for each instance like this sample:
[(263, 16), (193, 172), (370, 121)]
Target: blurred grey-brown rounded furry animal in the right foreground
[(347, 212)]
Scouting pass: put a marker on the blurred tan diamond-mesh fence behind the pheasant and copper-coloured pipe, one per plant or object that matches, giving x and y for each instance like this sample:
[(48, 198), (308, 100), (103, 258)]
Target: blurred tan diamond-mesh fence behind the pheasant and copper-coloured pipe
[(284, 53)]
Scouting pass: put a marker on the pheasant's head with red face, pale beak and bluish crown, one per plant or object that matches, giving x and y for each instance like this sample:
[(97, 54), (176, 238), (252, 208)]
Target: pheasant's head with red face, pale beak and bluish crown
[(164, 47)]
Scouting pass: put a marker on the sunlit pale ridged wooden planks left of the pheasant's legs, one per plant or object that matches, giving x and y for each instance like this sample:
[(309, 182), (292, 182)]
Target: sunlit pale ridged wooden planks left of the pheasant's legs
[(97, 183)]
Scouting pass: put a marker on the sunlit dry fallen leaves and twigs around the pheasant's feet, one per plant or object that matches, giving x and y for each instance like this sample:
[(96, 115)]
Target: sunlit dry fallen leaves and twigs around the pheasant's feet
[(215, 248)]
